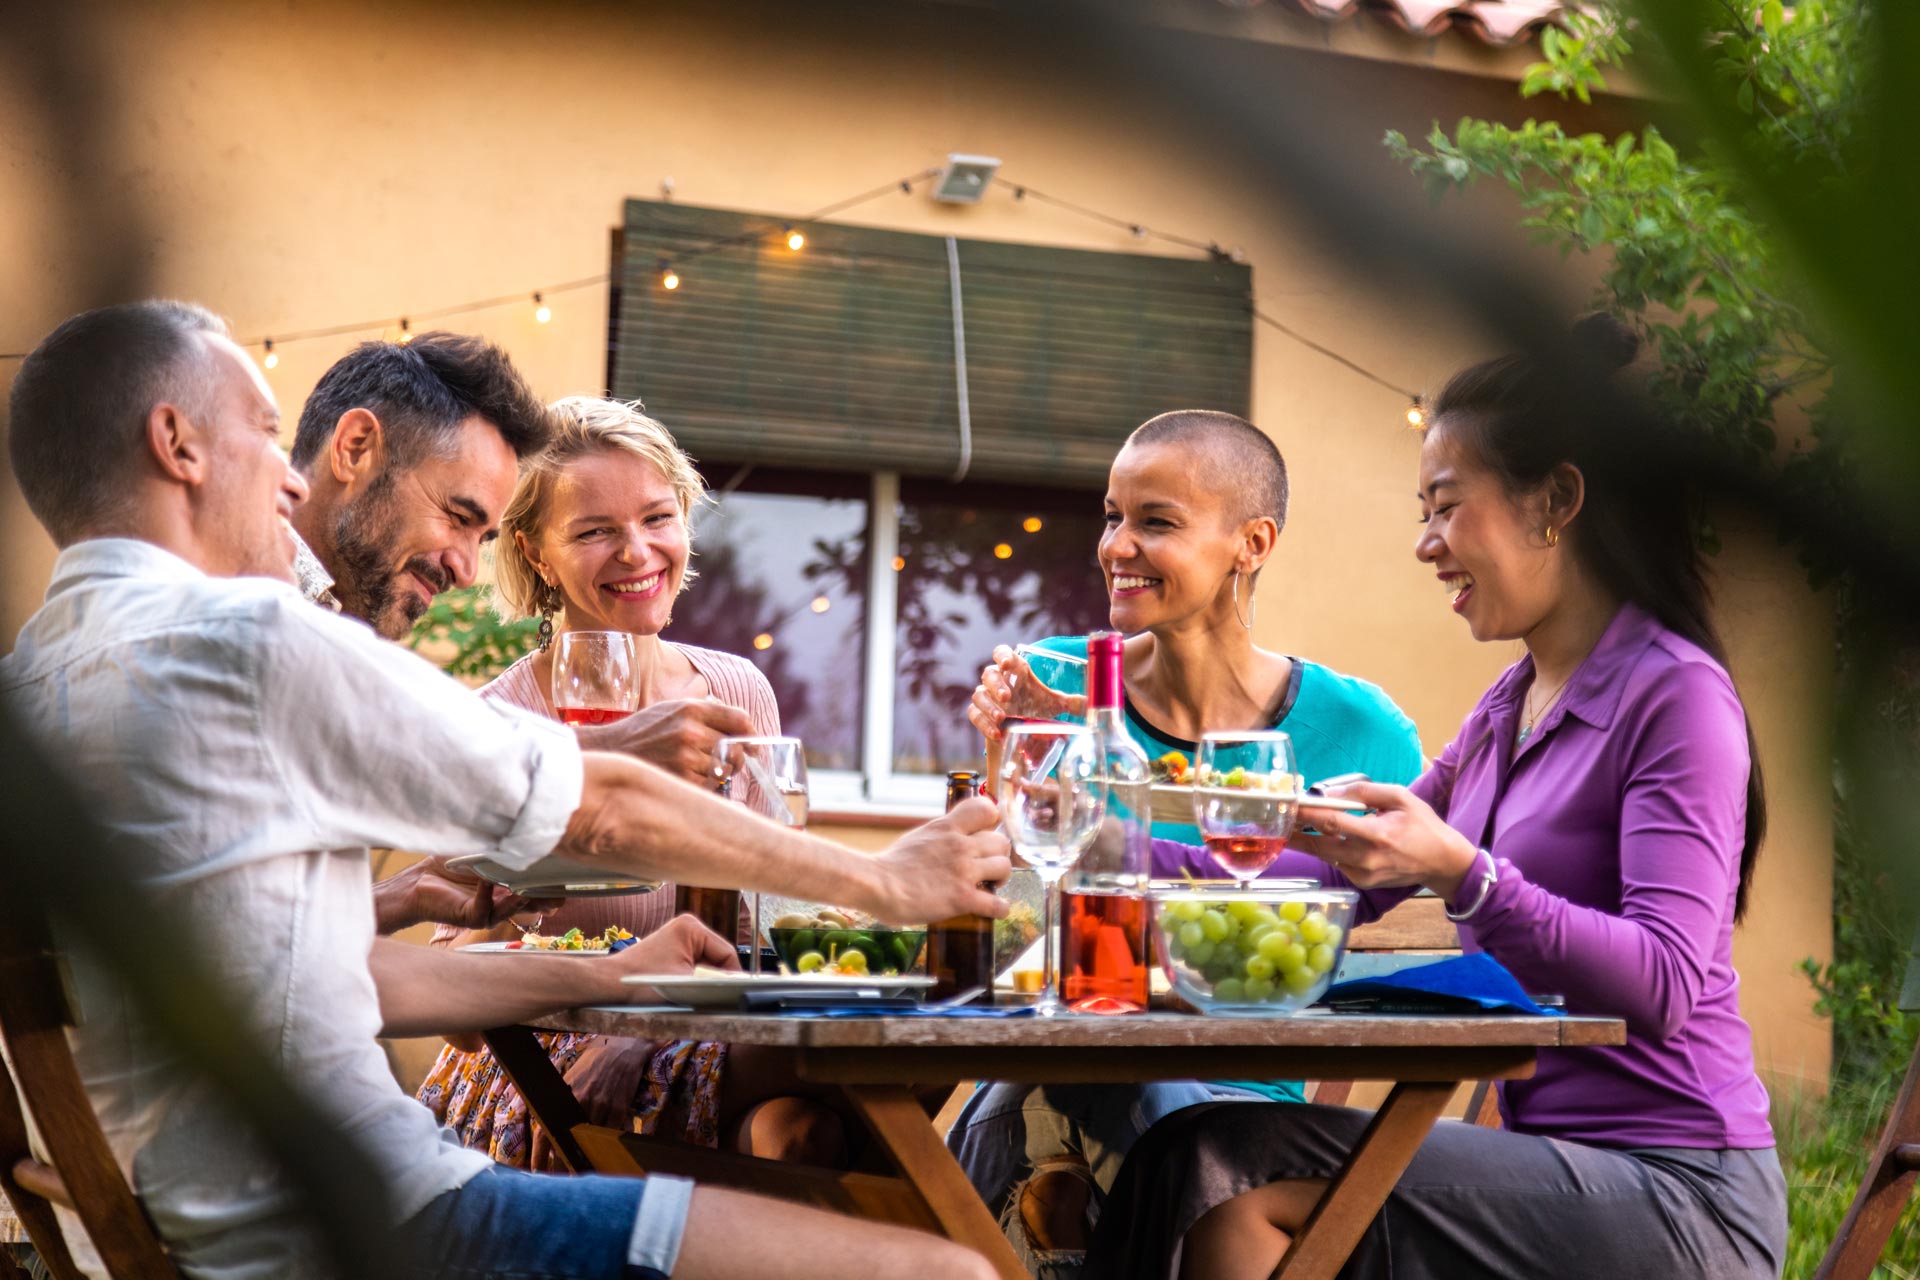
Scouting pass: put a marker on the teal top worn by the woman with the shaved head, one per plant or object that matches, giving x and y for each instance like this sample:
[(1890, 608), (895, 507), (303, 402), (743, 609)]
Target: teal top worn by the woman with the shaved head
[(1339, 724)]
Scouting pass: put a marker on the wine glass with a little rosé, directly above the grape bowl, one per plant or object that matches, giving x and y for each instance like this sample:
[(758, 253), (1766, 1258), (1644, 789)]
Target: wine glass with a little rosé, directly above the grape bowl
[(1245, 799)]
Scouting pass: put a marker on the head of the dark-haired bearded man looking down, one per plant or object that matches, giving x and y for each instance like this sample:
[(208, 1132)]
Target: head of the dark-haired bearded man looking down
[(410, 452)]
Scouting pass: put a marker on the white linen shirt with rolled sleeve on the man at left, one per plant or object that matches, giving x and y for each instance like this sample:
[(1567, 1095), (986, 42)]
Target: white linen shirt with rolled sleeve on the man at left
[(251, 749)]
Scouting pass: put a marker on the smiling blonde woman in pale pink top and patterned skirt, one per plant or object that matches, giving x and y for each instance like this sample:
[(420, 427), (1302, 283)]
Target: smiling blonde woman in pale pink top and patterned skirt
[(598, 540)]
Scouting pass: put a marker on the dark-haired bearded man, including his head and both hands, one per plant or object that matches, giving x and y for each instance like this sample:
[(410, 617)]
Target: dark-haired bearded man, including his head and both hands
[(410, 454)]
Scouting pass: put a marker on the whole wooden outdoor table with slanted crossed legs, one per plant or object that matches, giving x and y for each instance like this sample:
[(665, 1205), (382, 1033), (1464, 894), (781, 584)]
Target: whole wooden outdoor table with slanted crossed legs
[(876, 1060)]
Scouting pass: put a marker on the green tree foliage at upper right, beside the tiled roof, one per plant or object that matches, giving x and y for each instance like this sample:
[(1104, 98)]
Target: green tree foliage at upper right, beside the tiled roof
[(1685, 258)]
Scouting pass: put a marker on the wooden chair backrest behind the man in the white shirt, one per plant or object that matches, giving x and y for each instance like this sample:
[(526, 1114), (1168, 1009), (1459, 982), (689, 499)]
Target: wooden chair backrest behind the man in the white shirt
[(82, 1173)]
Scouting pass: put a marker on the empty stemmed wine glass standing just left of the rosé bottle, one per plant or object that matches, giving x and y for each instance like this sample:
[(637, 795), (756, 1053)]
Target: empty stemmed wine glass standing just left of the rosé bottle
[(1053, 805)]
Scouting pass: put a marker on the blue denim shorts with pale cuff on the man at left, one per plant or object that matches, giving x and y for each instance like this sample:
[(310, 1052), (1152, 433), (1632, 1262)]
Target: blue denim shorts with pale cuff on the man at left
[(510, 1225)]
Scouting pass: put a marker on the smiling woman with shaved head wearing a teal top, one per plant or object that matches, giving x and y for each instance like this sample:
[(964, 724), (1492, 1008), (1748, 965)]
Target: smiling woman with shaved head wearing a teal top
[(1195, 506)]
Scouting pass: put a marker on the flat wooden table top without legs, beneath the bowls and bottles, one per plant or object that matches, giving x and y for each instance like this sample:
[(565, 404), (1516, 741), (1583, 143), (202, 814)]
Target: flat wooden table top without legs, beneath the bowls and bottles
[(1332, 1031)]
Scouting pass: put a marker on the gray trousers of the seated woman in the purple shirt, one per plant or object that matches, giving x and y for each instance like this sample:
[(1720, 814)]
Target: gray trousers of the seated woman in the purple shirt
[(1474, 1202)]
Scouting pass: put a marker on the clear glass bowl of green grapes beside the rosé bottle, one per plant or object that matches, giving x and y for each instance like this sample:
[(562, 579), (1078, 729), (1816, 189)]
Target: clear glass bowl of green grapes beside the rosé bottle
[(1257, 951)]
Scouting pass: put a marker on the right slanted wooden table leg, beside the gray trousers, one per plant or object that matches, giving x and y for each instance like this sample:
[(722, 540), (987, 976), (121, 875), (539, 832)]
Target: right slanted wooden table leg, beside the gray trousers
[(1356, 1195)]
